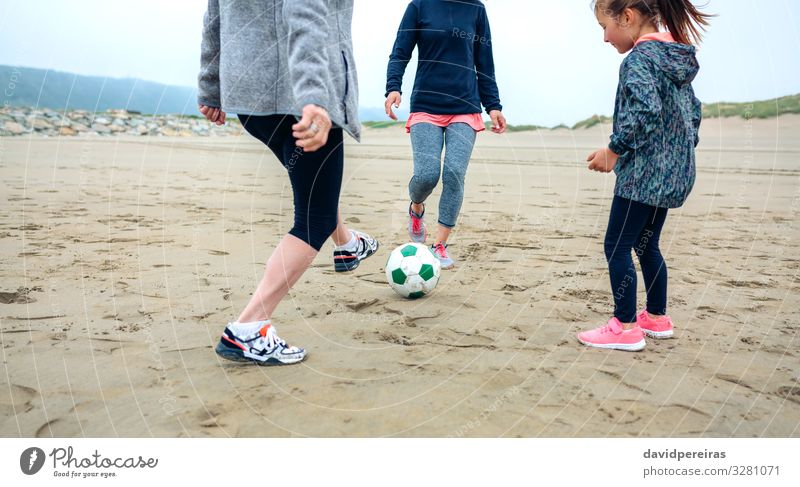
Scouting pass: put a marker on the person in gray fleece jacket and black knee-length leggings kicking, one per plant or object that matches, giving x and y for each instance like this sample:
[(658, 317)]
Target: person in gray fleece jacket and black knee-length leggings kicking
[(286, 69)]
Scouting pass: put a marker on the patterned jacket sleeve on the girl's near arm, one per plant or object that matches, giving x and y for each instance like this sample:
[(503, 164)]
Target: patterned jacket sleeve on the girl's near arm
[(640, 108)]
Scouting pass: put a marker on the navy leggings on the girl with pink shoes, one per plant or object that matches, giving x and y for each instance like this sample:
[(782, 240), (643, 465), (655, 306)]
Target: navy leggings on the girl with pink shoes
[(635, 226)]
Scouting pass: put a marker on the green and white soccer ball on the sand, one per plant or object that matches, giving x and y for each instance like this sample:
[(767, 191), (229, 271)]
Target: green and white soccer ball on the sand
[(412, 270)]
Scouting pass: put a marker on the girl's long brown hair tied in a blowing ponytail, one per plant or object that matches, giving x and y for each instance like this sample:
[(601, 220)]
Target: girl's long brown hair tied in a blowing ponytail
[(683, 20)]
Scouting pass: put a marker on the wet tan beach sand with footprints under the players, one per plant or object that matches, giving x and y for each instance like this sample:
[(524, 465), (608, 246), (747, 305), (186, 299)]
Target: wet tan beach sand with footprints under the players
[(121, 260)]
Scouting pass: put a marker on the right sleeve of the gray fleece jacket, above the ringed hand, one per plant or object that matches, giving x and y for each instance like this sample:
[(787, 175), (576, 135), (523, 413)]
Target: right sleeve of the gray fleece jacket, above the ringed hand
[(308, 56)]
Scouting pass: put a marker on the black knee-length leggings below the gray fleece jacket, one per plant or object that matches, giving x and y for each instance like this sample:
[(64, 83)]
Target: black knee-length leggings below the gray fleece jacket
[(316, 177)]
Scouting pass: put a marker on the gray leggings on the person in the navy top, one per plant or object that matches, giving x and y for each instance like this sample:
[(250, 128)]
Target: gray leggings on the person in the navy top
[(427, 142)]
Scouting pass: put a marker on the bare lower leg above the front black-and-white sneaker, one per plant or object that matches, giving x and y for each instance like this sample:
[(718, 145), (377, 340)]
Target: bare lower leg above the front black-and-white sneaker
[(288, 262)]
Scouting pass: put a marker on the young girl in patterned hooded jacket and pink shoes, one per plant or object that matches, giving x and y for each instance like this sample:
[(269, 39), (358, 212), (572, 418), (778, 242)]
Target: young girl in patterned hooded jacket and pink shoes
[(656, 122)]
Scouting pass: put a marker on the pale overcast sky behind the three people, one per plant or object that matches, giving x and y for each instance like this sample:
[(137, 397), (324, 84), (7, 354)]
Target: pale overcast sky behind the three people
[(552, 65)]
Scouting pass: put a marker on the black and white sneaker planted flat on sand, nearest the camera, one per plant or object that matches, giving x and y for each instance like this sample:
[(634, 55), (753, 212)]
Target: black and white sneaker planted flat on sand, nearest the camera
[(258, 343)]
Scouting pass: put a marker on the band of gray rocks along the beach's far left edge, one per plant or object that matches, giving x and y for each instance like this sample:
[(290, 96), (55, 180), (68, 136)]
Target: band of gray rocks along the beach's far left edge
[(19, 121)]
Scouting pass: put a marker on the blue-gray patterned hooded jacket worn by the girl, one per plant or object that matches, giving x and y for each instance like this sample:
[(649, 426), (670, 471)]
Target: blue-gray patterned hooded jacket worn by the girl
[(656, 120)]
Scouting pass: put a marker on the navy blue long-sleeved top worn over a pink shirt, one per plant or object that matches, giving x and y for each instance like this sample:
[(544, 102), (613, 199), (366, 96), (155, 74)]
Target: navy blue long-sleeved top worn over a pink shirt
[(455, 74)]
